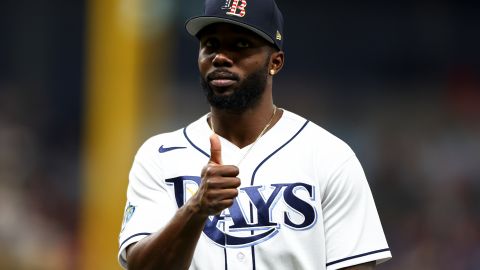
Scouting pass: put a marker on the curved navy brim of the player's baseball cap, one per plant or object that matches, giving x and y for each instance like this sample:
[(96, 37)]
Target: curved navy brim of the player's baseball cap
[(194, 25)]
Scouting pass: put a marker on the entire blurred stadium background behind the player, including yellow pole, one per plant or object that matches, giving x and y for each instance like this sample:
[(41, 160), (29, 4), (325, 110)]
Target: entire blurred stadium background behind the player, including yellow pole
[(84, 83)]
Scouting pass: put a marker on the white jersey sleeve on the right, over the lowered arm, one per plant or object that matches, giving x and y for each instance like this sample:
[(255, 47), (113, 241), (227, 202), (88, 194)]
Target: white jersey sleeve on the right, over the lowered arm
[(353, 231)]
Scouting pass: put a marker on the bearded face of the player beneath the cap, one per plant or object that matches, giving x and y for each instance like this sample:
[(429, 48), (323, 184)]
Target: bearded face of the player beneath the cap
[(233, 64)]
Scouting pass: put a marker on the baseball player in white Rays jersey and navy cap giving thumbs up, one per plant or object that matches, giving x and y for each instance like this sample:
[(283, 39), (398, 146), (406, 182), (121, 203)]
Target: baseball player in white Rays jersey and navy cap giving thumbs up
[(248, 185)]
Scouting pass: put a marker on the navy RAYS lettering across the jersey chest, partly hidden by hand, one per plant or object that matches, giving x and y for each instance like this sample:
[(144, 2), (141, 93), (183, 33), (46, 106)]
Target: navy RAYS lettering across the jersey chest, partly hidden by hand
[(259, 216)]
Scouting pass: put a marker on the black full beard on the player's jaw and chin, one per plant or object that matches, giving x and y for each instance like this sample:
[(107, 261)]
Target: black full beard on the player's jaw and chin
[(244, 96)]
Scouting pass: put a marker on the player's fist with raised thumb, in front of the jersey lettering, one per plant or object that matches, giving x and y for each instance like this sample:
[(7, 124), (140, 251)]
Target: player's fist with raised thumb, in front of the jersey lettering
[(219, 183)]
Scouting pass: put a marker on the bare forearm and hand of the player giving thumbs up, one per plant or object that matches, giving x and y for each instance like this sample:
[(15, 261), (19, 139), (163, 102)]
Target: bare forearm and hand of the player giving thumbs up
[(173, 246)]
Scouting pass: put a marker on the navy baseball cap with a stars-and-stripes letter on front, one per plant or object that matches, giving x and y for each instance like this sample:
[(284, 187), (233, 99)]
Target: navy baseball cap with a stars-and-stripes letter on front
[(260, 16)]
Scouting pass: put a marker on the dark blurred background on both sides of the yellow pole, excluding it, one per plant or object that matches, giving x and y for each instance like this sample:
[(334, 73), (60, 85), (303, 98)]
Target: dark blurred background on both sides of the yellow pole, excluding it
[(398, 81)]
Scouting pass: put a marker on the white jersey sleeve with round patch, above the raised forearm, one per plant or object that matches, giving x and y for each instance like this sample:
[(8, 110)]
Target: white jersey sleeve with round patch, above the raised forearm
[(148, 207)]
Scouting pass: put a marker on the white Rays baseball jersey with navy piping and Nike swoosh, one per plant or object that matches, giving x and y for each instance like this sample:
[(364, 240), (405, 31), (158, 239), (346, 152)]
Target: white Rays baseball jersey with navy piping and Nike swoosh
[(304, 202)]
